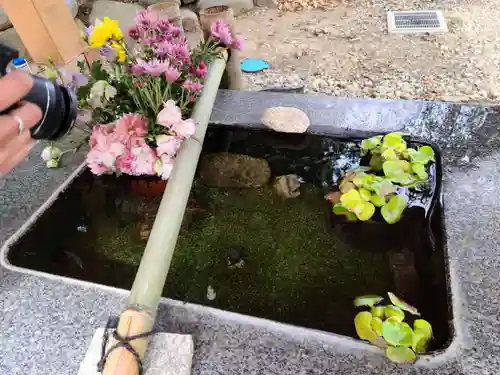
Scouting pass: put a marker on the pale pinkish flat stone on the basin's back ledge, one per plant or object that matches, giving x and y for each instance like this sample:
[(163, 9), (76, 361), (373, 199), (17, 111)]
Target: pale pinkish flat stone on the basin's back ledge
[(286, 119)]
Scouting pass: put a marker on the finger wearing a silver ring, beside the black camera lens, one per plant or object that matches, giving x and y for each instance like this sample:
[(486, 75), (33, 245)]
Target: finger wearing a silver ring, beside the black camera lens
[(28, 113)]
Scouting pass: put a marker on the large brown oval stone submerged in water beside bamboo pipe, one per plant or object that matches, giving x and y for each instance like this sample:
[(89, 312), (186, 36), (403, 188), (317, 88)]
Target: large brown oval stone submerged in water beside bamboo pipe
[(234, 170)]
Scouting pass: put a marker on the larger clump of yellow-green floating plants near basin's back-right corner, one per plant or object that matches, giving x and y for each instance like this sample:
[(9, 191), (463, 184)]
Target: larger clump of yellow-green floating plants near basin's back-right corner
[(367, 188)]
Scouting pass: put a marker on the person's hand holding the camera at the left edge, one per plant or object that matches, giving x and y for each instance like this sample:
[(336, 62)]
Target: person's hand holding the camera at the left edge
[(15, 138)]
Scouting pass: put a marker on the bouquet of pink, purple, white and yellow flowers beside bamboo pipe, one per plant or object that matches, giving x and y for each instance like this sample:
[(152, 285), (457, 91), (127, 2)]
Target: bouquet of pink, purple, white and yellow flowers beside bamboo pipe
[(140, 97)]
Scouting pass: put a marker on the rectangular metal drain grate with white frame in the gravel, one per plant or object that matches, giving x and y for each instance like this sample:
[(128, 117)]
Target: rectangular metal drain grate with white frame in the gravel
[(419, 21)]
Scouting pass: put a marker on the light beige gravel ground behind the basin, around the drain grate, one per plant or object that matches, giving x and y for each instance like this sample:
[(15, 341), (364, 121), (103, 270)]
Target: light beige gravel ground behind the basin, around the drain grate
[(347, 51)]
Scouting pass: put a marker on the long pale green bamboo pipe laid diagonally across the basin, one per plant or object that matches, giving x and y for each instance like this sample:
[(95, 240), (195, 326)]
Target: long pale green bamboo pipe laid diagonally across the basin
[(152, 273)]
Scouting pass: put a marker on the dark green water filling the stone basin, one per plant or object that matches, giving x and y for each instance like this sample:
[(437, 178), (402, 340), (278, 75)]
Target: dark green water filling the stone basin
[(295, 269)]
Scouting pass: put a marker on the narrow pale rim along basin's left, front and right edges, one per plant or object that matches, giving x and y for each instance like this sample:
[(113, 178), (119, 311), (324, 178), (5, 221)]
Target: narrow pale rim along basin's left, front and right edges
[(430, 360)]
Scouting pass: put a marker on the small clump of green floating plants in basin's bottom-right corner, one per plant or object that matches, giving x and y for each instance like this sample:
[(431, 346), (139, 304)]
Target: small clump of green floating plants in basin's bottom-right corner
[(384, 326)]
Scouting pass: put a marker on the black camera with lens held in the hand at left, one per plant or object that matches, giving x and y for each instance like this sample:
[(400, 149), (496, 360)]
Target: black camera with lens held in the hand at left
[(59, 105)]
